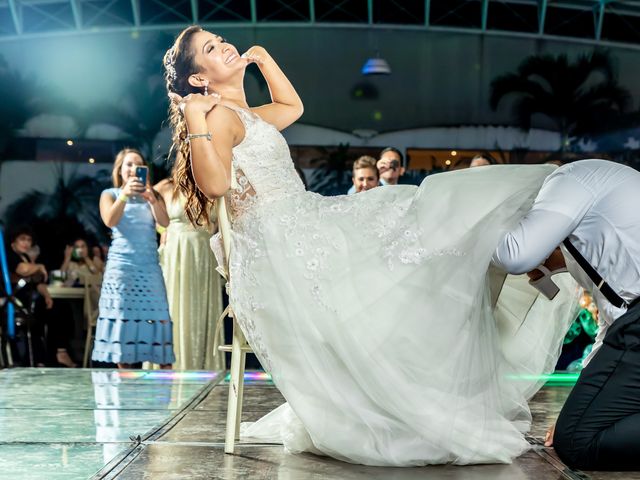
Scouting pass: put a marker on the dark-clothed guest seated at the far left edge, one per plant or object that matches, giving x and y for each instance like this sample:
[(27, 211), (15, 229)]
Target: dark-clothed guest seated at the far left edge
[(28, 279)]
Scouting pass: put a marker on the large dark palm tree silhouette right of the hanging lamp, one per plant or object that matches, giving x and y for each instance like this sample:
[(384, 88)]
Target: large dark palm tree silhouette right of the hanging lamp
[(578, 97)]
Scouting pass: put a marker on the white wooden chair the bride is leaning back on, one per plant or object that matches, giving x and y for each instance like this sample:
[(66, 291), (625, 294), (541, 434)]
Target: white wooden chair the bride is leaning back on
[(239, 346)]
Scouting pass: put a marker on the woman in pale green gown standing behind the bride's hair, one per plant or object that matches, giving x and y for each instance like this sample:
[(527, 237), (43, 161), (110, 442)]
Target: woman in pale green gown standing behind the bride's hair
[(194, 287)]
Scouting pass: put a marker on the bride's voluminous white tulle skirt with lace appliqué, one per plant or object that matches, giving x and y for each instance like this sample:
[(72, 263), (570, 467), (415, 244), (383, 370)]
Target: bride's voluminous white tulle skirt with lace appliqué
[(384, 326)]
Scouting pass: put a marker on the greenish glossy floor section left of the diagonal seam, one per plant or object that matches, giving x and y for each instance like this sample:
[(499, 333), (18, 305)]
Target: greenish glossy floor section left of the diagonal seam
[(67, 424)]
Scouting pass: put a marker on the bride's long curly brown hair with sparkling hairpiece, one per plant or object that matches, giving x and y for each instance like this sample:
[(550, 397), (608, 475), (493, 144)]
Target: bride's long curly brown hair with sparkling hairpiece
[(179, 64)]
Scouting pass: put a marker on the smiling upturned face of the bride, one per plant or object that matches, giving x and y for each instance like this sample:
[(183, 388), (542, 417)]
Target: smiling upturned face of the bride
[(217, 59)]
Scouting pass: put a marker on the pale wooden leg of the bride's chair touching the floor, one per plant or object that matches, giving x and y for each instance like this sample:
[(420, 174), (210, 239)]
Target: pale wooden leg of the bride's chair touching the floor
[(236, 387)]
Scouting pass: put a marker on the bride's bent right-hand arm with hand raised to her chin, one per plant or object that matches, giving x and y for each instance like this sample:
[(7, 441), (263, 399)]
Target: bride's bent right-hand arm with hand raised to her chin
[(286, 106)]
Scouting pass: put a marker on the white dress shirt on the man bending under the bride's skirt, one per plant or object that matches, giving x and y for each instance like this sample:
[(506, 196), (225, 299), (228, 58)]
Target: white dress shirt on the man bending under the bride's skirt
[(596, 204)]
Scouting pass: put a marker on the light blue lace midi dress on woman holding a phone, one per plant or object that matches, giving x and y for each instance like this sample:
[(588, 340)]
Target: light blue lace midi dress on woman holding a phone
[(134, 323)]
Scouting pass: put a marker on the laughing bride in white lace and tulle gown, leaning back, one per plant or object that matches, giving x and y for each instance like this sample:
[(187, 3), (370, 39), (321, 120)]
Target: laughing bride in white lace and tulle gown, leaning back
[(372, 312)]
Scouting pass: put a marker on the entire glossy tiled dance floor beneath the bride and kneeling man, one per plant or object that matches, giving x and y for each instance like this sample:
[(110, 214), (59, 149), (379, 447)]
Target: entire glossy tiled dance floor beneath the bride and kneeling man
[(78, 424)]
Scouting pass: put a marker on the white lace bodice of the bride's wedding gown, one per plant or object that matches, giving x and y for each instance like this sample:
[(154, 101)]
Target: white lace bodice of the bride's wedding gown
[(262, 166)]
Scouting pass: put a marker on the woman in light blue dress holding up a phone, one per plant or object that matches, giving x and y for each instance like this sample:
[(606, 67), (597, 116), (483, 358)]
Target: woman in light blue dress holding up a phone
[(134, 323)]
